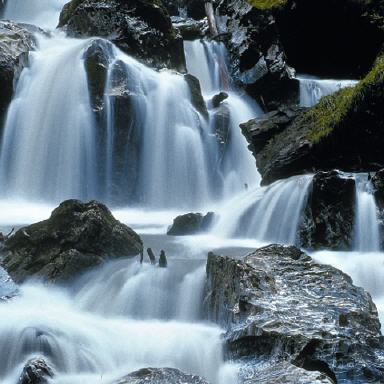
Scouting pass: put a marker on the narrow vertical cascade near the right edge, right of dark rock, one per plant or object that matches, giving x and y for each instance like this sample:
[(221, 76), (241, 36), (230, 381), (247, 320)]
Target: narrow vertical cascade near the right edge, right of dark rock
[(367, 234)]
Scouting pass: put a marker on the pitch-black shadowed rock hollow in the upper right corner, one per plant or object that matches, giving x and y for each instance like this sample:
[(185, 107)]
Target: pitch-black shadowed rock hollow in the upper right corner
[(331, 38)]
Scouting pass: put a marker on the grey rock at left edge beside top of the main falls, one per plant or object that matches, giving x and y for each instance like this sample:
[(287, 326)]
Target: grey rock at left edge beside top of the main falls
[(16, 40)]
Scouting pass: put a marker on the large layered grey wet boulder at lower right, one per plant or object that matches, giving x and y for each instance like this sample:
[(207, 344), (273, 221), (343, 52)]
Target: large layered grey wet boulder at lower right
[(277, 304)]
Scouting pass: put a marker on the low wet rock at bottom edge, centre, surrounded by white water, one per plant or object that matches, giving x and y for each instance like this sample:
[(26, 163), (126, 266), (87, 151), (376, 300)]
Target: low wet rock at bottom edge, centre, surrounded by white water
[(160, 376)]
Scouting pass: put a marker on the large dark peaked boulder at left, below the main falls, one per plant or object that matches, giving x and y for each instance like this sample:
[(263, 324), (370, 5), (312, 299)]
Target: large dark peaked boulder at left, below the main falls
[(76, 237)]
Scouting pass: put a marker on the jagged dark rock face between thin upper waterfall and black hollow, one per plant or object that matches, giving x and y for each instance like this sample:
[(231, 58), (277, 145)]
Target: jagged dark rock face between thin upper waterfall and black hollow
[(258, 58)]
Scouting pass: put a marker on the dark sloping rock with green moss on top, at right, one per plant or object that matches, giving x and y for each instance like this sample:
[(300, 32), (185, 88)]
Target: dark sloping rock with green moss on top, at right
[(344, 131)]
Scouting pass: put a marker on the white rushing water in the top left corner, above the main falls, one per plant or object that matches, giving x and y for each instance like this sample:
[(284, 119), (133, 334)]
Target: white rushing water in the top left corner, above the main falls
[(44, 13)]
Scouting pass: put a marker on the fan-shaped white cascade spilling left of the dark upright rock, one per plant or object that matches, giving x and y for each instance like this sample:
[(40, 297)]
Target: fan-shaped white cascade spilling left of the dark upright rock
[(269, 215)]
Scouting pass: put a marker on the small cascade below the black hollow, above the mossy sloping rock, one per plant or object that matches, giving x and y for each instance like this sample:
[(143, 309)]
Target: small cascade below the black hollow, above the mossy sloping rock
[(312, 89)]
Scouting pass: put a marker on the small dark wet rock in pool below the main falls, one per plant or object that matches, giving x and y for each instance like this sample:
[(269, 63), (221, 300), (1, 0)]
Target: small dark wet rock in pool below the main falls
[(190, 223)]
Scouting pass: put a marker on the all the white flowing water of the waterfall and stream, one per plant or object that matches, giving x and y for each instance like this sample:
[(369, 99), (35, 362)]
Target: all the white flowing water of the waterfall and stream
[(161, 159)]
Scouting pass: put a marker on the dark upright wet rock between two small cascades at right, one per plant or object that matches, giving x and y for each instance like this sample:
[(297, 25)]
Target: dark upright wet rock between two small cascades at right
[(329, 215)]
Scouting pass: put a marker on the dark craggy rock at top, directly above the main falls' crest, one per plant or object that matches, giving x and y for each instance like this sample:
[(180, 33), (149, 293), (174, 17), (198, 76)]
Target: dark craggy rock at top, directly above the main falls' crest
[(141, 28)]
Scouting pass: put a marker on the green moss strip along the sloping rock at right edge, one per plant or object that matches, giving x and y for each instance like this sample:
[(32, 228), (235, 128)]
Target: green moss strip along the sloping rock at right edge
[(332, 110)]
